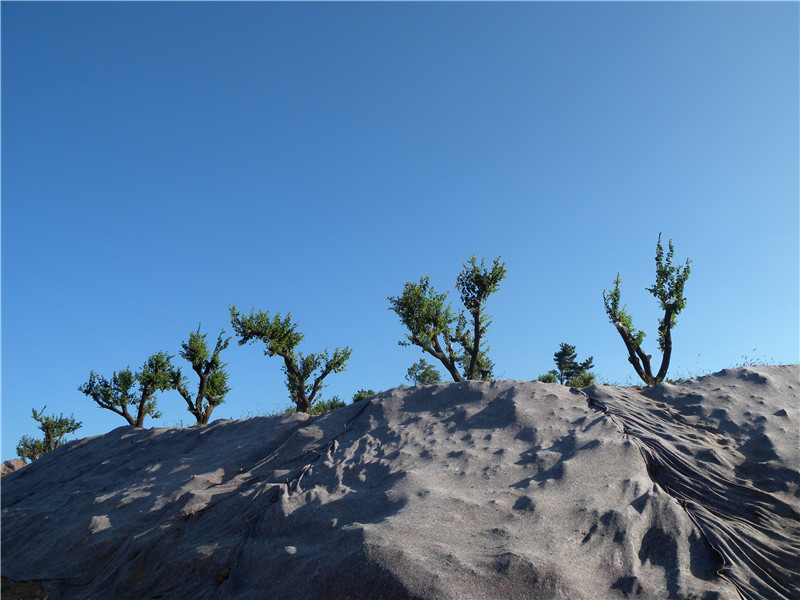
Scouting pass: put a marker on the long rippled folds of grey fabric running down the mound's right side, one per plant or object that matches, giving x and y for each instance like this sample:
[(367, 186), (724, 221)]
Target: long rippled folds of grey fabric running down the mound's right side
[(754, 532)]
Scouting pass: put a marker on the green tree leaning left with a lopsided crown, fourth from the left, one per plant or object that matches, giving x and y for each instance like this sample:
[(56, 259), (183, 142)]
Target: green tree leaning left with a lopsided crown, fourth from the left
[(304, 373)]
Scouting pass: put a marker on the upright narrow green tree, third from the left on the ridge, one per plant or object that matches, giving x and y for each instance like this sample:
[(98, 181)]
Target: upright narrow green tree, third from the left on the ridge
[(213, 384)]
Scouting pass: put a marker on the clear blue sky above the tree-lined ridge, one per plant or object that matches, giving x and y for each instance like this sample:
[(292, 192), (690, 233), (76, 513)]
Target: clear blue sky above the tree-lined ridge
[(161, 161)]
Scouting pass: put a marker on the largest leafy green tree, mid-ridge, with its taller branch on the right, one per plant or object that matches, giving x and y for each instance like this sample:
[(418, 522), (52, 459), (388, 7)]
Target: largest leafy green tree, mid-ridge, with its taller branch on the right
[(436, 328)]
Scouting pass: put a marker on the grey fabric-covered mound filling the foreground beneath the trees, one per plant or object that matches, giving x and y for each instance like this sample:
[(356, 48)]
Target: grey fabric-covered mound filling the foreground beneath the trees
[(509, 489)]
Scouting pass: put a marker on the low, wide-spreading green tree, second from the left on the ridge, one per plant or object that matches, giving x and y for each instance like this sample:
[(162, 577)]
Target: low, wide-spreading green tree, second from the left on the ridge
[(117, 394)]
